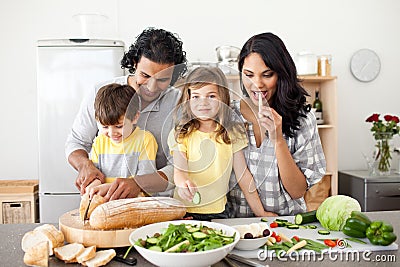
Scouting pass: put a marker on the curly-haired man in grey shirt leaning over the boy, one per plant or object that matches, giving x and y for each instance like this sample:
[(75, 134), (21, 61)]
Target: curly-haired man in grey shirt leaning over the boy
[(155, 62)]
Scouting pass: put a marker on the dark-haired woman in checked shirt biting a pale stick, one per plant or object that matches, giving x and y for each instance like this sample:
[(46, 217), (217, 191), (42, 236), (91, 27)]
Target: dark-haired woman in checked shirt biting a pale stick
[(284, 153)]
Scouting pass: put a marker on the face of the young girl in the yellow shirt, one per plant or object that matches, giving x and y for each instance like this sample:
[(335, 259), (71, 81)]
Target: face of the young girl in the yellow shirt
[(205, 102)]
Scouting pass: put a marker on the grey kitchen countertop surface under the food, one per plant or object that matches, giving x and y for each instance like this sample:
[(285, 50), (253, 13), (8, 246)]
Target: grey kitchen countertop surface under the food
[(11, 253)]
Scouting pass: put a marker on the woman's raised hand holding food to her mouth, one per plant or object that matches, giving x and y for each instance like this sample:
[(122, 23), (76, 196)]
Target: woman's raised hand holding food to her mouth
[(272, 122)]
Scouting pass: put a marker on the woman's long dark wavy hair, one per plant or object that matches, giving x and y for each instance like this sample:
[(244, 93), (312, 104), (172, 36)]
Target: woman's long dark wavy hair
[(290, 97)]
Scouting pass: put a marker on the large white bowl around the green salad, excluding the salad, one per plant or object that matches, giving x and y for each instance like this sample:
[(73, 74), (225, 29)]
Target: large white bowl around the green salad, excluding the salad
[(192, 259)]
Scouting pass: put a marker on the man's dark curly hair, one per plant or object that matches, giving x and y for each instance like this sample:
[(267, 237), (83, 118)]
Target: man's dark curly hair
[(159, 46)]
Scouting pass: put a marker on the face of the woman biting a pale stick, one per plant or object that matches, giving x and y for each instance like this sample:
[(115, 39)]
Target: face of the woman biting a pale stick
[(258, 78)]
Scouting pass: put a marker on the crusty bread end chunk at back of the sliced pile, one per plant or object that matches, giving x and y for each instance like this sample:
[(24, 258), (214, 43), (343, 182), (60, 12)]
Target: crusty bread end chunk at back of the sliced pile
[(44, 233)]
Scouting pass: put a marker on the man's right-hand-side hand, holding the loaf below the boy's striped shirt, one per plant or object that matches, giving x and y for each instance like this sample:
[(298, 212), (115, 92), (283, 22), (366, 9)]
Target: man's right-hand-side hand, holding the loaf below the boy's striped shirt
[(122, 188)]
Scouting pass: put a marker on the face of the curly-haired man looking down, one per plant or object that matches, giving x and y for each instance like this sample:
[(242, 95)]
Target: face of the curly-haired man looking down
[(152, 78)]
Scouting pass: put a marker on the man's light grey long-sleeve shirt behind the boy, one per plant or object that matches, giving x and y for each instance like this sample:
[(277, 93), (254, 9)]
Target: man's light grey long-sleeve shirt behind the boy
[(156, 118)]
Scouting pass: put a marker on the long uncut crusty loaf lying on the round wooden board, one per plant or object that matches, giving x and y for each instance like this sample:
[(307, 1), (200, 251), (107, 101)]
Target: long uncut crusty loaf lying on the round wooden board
[(136, 212)]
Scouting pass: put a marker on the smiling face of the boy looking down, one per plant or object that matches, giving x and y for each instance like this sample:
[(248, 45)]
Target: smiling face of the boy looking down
[(119, 131)]
